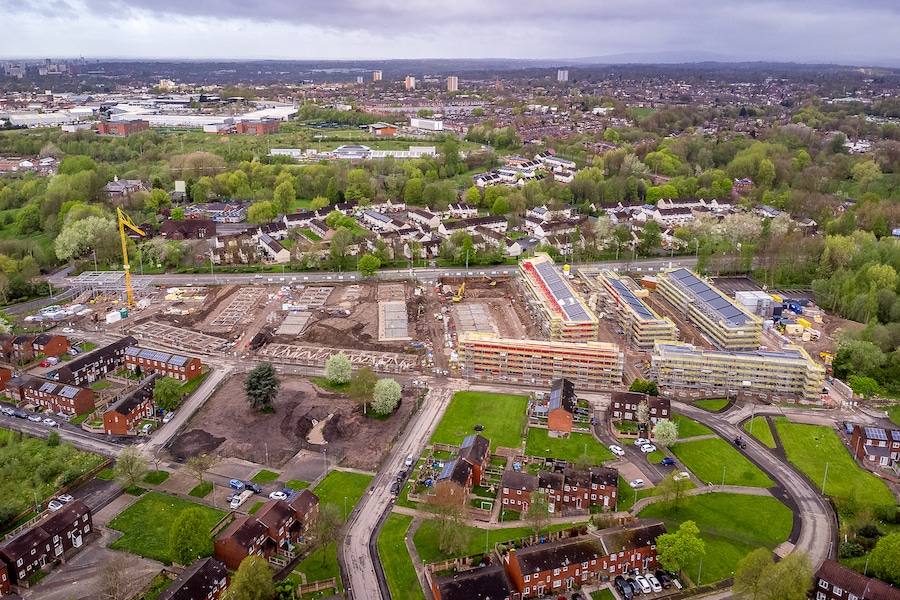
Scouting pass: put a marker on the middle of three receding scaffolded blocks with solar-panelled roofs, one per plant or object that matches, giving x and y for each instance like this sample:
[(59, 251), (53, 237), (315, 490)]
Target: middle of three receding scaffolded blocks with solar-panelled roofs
[(641, 325)]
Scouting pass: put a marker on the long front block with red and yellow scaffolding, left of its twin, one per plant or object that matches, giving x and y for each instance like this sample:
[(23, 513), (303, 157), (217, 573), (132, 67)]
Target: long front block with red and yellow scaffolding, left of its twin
[(590, 365)]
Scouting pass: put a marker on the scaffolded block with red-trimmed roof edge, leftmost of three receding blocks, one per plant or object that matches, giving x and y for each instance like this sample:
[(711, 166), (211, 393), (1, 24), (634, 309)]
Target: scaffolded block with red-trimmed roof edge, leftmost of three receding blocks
[(564, 317)]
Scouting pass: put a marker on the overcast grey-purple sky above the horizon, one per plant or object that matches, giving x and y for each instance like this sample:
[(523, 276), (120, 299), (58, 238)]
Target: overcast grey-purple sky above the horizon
[(865, 32)]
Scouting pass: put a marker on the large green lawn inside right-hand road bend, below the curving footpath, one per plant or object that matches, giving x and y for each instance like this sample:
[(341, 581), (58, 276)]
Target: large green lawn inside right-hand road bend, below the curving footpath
[(732, 525)]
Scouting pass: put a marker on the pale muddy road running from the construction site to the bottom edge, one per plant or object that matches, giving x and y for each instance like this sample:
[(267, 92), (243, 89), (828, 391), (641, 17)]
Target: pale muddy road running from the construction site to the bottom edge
[(358, 567)]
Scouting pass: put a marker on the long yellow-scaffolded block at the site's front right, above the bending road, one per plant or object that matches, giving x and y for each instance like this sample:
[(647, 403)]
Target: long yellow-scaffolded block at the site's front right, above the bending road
[(789, 373)]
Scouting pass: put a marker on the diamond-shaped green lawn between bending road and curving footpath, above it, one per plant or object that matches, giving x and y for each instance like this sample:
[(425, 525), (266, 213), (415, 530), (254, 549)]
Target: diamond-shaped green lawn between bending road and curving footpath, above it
[(707, 459)]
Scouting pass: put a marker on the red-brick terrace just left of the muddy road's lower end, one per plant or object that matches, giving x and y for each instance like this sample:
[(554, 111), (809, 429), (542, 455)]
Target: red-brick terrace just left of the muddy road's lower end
[(275, 526)]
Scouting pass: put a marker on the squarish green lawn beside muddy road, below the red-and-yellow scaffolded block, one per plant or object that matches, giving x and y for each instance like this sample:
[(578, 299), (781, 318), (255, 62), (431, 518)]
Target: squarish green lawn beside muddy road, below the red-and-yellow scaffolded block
[(502, 415)]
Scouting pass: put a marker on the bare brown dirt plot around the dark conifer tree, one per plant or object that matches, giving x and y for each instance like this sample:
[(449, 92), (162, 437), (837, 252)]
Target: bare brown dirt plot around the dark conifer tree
[(226, 425)]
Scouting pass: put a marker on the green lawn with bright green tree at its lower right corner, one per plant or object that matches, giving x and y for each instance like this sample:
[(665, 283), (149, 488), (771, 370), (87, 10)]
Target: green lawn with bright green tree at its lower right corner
[(146, 524)]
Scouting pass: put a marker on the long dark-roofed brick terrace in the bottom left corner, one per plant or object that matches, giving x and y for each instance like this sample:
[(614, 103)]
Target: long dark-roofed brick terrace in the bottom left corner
[(47, 541)]
